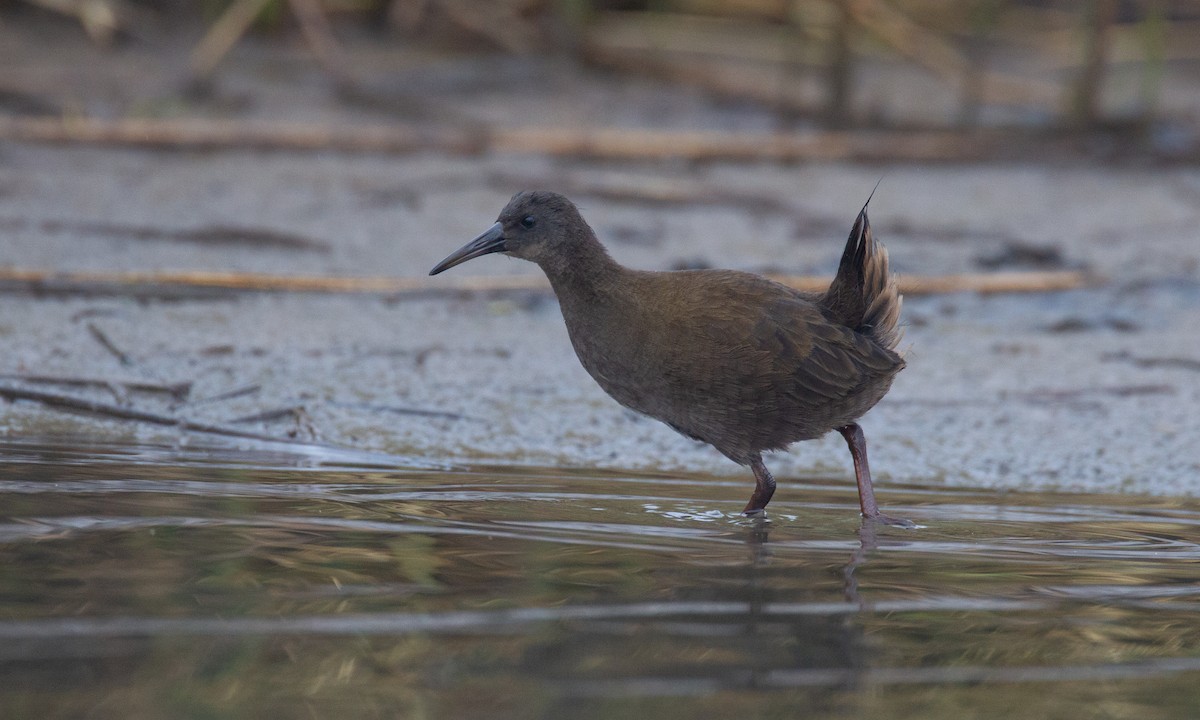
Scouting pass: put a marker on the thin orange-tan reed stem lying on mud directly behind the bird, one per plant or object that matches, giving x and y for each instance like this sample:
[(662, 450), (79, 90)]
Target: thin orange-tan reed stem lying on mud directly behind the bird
[(133, 284)]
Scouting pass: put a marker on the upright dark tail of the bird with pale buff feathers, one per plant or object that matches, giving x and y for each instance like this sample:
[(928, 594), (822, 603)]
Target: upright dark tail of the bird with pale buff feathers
[(863, 295)]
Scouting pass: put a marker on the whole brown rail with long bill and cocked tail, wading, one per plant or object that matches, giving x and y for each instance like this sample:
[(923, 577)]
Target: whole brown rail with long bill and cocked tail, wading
[(729, 358)]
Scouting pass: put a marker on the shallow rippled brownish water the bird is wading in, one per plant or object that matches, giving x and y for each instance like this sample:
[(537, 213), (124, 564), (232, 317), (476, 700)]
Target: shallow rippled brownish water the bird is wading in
[(154, 583)]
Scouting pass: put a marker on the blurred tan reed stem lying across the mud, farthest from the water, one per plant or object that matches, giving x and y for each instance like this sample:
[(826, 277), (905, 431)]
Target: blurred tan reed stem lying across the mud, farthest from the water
[(608, 143)]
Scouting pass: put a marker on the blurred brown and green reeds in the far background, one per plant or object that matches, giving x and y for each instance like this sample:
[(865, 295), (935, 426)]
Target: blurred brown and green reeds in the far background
[(1121, 68)]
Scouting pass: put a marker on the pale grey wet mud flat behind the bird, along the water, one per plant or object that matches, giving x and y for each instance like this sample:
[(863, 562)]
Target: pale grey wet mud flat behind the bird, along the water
[(1091, 389)]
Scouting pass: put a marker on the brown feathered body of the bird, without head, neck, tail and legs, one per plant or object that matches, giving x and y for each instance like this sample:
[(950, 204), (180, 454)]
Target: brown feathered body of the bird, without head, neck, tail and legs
[(729, 358)]
